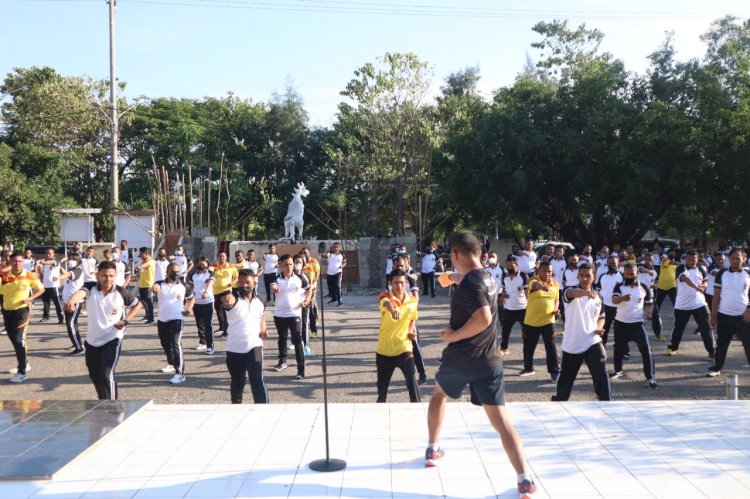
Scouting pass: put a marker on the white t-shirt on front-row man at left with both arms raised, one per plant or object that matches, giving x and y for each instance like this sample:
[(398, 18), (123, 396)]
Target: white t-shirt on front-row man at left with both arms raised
[(105, 311)]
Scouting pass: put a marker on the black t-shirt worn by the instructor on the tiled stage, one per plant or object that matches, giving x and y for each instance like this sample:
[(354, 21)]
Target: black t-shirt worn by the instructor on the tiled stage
[(477, 289)]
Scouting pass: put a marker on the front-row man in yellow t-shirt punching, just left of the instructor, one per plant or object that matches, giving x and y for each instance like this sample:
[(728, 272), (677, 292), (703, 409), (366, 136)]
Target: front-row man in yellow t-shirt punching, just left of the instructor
[(398, 315)]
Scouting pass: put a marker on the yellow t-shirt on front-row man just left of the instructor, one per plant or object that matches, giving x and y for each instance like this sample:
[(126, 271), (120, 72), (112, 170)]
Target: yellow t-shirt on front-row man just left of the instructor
[(393, 339)]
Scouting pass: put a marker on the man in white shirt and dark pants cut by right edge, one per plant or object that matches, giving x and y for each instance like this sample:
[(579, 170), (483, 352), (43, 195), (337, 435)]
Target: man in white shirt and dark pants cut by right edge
[(730, 313)]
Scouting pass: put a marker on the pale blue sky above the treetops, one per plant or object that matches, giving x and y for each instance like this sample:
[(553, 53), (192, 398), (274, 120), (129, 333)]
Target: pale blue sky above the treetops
[(253, 48)]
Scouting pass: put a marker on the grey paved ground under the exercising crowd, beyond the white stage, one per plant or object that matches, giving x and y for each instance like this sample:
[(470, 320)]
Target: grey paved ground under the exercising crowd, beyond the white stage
[(351, 333)]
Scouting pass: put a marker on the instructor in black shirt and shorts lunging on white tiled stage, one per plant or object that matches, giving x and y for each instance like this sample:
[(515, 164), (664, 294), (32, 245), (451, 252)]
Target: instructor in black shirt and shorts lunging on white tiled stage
[(472, 357)]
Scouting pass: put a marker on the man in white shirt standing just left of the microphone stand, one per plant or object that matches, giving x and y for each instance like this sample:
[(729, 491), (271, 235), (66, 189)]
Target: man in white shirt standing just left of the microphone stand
[(292, 292)]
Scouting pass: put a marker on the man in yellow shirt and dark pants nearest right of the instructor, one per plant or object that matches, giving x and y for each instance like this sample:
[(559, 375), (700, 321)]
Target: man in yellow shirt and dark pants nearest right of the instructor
[(541, 312)]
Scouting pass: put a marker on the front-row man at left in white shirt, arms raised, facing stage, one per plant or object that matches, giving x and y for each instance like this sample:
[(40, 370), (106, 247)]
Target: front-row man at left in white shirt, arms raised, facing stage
[(107, 305)]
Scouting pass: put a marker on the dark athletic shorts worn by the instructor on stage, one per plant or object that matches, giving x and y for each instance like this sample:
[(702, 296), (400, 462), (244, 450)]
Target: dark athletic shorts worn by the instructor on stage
[(487, 385)]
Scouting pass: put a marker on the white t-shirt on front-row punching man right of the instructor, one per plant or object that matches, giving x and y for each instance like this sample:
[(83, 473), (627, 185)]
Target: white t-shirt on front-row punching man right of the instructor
[(581, 316)]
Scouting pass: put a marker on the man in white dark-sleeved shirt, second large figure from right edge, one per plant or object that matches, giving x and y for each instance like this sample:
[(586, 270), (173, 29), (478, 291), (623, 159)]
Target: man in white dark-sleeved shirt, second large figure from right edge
[(691, 302)]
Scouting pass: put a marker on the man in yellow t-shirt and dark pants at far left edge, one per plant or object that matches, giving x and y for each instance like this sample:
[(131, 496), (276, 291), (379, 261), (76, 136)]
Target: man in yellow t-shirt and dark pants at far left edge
[(19, 288)]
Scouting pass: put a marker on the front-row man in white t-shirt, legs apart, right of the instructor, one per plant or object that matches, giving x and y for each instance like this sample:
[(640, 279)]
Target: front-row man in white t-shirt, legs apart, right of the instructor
[(584, 327)]
